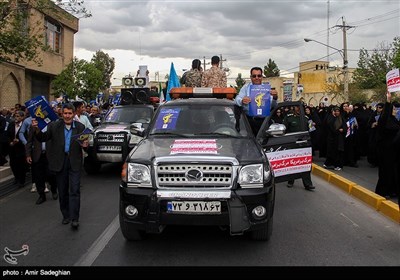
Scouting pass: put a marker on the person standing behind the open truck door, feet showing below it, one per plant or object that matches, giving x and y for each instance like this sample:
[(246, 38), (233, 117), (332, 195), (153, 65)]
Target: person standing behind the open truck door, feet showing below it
[(292, 121)]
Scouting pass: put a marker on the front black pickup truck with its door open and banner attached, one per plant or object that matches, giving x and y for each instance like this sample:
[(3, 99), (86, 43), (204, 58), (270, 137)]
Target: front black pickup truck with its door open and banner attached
[(200, 164)]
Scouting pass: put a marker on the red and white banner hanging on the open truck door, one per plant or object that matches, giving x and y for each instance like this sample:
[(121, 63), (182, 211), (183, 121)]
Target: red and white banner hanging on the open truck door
[(290, 161)]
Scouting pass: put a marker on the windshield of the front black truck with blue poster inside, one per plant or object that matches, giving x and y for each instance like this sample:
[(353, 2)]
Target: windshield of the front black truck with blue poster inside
[(197, 120)]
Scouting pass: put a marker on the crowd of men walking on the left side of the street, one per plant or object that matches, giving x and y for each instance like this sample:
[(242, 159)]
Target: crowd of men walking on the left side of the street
[(27, 149)]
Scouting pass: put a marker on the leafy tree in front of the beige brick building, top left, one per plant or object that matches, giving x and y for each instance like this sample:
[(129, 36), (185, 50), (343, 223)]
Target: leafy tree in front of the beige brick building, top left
[(22, 41)]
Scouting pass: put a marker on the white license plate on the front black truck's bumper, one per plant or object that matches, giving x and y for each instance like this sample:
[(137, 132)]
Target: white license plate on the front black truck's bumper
[(194, 207)]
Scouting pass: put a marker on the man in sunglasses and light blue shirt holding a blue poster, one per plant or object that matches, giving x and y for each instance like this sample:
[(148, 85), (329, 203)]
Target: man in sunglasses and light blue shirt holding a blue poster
[(243, 99)]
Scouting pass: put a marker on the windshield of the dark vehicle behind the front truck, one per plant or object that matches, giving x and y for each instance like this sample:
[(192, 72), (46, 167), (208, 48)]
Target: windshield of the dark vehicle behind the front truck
[(130, 115)]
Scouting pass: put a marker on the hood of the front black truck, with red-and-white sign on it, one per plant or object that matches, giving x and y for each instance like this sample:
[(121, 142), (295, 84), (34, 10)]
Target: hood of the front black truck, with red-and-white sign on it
[(245, 150)]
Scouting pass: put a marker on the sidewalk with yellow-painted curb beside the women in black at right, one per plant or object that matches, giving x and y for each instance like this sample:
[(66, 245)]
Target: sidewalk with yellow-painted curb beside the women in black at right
[(359, 182)]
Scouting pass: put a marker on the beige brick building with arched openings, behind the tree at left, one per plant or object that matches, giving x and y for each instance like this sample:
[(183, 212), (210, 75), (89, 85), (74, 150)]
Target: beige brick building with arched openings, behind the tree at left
[(21, 81)]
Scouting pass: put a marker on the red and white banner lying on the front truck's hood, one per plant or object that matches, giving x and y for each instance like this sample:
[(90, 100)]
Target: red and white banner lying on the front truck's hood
[(194, 146)]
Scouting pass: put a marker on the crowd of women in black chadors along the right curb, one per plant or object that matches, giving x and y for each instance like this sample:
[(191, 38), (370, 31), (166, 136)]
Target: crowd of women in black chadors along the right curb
[(343, 134)]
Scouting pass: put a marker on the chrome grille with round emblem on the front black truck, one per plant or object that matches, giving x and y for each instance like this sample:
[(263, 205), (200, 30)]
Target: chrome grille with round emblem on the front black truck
[(194, 175)]
